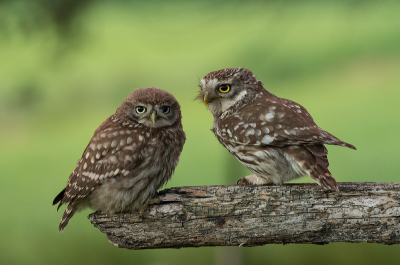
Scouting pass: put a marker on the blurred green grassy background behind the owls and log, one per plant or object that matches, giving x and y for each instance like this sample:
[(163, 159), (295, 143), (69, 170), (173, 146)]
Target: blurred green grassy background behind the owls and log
[(65, 66)]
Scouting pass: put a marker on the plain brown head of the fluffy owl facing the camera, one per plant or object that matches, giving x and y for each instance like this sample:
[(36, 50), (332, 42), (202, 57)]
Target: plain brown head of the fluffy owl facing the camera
[(151, 107)]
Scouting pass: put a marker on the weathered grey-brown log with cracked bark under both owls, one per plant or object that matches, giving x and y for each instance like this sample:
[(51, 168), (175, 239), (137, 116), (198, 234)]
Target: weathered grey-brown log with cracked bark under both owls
[(258, 215)]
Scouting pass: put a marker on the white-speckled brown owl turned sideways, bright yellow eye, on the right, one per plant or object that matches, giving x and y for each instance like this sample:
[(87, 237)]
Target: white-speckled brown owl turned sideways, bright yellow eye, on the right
[(275, 138)]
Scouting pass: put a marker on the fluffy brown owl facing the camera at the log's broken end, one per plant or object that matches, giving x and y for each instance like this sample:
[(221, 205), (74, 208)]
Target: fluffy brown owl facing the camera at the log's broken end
[(130, 156)]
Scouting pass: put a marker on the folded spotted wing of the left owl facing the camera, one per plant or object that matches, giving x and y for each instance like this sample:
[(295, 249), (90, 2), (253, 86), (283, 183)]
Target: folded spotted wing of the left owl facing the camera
[(113, 151)]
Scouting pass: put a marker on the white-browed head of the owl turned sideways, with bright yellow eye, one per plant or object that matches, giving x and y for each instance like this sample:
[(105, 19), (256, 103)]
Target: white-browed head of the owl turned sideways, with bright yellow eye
[(222, 89)]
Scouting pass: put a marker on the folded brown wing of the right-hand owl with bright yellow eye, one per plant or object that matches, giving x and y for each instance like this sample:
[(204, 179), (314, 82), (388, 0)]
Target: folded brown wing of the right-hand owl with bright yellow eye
[(275, 122)]
